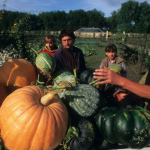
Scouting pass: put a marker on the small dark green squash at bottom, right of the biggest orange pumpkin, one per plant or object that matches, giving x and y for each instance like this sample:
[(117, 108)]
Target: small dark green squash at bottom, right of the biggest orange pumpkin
[(83, 139)]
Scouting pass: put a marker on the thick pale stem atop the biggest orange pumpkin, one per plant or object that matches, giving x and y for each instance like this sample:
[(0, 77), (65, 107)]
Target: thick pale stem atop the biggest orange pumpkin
[(45, 100)]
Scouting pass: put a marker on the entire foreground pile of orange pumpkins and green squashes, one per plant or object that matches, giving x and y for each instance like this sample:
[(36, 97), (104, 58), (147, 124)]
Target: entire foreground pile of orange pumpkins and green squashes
[(70, 115)]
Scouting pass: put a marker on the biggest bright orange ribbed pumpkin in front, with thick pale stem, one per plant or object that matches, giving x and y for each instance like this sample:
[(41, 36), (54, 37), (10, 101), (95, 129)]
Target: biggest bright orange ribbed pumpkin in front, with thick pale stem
[(27, 124)]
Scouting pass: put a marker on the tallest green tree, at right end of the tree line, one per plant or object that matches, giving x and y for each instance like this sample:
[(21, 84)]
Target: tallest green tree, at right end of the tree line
[(133, 17)]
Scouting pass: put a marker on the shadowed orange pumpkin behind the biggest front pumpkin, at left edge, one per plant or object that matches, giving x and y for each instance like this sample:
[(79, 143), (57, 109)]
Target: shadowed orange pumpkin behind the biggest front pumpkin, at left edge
[(16, 73)]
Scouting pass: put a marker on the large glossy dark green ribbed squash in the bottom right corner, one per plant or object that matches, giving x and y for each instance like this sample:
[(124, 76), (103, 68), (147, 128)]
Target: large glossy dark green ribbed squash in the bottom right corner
[(129, 126)]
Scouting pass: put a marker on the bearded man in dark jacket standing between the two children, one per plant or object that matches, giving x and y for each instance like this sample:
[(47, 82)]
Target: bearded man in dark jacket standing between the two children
[(69, 57)]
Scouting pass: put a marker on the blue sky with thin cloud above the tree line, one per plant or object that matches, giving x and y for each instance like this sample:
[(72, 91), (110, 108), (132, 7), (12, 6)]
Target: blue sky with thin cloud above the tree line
[(105, 6)]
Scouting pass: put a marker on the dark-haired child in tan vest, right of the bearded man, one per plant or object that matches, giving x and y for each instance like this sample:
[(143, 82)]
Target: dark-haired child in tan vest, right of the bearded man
[(112, 58)]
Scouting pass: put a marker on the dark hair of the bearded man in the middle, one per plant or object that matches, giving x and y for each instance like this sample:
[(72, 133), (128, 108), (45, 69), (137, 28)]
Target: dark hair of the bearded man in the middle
[(66, 32)]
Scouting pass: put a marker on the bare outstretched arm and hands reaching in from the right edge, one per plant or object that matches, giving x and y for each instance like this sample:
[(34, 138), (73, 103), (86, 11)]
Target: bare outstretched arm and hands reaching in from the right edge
[(108, 76)]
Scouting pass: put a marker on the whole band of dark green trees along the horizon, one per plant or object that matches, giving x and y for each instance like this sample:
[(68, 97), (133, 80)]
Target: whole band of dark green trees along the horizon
[(131, 17)]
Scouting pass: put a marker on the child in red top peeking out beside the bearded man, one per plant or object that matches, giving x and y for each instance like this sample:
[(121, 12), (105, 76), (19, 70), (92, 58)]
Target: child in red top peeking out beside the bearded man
[(50, 45)]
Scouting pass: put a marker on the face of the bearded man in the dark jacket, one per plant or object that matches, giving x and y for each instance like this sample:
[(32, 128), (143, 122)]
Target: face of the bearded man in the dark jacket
[(67, 42)]
